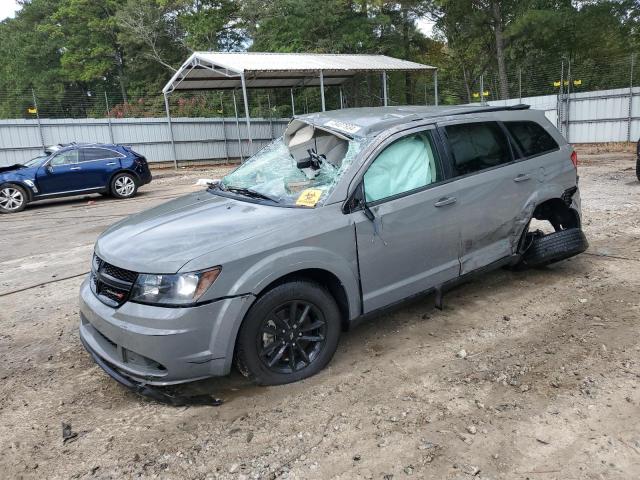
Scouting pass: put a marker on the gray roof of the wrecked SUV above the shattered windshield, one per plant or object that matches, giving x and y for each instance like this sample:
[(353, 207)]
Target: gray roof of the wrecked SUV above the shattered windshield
[(368, 121)]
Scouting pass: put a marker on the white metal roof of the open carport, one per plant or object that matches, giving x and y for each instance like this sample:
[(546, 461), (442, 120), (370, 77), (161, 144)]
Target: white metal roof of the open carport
[(222, 70)]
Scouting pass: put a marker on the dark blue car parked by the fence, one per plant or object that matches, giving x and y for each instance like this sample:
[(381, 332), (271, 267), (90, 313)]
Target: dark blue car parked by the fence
[(75, 169)]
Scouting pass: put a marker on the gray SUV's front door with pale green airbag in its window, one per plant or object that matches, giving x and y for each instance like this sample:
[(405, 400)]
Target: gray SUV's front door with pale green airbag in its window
[(409, 243)]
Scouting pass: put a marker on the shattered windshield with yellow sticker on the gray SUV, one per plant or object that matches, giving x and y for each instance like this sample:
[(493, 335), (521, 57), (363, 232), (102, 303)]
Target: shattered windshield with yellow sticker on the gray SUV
[(294, 171)]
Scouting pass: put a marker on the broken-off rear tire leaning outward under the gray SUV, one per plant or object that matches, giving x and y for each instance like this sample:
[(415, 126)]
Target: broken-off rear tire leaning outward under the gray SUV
[(553, 247)]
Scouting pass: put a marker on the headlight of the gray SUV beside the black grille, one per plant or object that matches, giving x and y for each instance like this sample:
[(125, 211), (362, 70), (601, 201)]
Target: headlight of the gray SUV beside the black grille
[(180, 289)]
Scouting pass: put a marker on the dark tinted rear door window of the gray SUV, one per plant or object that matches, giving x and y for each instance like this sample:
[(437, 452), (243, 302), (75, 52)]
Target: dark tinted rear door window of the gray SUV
[(477, 146)]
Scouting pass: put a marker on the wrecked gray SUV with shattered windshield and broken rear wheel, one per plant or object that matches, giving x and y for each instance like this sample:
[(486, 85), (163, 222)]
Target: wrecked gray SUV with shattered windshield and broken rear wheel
[(349, 212)]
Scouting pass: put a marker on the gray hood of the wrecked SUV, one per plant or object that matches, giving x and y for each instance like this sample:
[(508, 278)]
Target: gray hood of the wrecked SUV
[(164, 238)]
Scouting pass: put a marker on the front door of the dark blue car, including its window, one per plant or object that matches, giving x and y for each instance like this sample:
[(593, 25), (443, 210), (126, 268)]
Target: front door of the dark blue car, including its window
[(61, 174)]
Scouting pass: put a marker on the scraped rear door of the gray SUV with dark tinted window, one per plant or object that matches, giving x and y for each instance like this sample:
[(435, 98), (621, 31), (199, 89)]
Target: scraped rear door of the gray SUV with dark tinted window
[(492, 188)]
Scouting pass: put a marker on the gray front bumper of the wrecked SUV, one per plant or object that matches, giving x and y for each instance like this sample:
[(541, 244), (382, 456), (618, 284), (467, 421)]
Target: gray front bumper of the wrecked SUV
[(158, 345)]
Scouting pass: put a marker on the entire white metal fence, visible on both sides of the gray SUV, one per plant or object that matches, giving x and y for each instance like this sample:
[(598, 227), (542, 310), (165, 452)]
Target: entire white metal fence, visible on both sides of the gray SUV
[(590, 117)]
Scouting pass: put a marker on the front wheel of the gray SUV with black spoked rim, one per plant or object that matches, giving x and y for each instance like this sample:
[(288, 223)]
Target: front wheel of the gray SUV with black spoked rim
[(268, 337)]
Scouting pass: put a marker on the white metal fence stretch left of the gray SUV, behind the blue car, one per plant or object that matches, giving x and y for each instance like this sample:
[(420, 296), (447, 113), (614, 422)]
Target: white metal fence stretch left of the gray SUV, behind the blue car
[(195, 139)]
